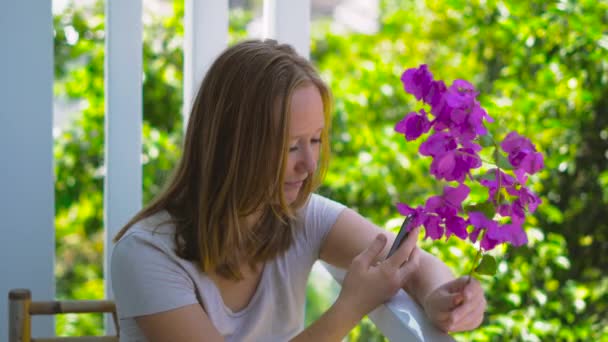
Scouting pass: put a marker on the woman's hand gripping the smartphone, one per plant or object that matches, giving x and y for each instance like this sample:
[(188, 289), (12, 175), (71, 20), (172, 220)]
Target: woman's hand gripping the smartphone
[(370, 282)]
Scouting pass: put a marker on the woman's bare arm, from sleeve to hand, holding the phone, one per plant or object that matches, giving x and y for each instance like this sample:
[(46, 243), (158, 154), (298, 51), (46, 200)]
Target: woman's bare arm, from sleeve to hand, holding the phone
[(365, 286)]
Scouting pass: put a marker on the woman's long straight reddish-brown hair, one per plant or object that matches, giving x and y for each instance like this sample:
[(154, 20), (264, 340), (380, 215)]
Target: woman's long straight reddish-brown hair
[(234, 160)]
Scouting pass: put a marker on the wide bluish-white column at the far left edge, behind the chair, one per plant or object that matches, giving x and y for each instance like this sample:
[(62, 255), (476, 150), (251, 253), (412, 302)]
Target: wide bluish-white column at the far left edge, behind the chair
[(27, 246)]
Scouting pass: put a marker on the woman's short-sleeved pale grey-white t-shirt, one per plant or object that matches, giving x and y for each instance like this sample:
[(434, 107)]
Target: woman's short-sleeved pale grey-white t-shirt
[(148, 277)]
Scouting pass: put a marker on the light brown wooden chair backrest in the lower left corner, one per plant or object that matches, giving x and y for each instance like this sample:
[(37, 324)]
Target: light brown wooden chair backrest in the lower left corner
[(22, 308)]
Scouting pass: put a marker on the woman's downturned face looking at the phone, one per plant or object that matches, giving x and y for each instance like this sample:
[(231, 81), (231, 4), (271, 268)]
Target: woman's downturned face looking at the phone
[(306, 124)]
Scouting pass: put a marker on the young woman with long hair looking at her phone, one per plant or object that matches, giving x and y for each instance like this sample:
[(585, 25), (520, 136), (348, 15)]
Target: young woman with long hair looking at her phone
[(224, 252)]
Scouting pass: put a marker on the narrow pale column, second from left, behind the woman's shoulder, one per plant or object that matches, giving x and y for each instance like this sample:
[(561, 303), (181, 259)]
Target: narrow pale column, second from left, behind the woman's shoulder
[(123, 103)]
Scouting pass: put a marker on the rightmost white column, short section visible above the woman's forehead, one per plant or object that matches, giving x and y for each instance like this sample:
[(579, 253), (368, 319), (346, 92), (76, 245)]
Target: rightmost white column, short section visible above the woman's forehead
[(288, 22)]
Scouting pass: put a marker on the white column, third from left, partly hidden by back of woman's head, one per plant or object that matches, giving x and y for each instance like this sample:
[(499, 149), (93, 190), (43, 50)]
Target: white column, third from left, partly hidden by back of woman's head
[(206, 36)]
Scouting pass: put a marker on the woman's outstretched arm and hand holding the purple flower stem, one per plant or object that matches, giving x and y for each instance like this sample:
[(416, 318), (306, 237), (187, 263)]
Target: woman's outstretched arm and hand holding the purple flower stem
[(451, 304)]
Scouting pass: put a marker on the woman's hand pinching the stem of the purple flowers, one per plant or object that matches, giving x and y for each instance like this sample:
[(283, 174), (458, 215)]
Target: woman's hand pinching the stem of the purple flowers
[(456, 305)]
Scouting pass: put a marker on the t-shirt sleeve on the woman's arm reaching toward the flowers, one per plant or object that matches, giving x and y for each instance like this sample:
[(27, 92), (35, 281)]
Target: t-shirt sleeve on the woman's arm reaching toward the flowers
[(321, 214)]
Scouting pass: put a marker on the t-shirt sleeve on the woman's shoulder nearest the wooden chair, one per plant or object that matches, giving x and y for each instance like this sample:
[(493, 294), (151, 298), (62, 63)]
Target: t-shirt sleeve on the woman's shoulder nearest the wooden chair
[(146, 278)]
